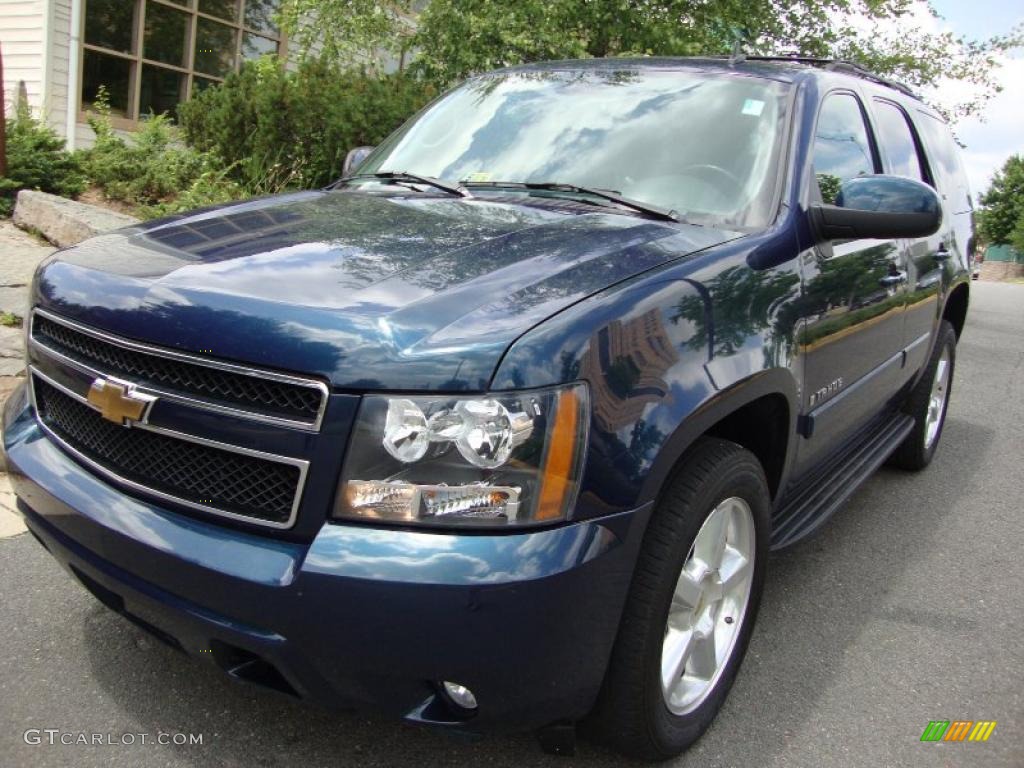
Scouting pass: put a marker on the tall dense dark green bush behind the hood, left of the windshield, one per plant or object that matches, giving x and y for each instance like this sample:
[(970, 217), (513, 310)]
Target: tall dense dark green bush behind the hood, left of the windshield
[(280, 131)]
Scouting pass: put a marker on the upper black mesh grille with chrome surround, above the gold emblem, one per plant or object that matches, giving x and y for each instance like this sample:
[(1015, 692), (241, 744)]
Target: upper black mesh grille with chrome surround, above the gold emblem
[(263, 395)]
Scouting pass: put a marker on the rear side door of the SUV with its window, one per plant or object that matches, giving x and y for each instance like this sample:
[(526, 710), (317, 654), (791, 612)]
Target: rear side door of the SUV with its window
[(924, 260)]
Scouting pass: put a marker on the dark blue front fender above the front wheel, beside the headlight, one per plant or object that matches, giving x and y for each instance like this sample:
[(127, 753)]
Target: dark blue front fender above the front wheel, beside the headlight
[(666, 359)]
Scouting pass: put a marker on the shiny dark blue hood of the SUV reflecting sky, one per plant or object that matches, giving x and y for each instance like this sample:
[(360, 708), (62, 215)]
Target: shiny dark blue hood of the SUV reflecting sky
[(369, 291)]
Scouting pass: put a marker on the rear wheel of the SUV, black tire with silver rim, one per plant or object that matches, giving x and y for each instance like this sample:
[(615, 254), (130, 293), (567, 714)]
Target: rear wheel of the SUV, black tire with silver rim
[(928, 404)]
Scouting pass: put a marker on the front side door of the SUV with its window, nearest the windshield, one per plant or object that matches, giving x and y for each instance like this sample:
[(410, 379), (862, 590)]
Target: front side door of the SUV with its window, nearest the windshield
[(854, 297)]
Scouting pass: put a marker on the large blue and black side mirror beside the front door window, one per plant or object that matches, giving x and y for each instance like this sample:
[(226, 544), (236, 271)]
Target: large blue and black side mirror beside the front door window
[(879, 208)]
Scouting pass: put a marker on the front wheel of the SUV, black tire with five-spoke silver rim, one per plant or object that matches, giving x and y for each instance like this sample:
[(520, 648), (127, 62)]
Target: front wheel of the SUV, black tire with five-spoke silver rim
[(692, 607)]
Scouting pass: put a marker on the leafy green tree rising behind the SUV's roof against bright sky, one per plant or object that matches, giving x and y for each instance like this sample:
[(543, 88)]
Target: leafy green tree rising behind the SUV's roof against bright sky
[(456, 38)]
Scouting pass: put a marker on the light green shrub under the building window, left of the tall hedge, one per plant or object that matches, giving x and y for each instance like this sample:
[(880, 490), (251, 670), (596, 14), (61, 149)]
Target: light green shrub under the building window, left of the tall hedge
[(153, 170)]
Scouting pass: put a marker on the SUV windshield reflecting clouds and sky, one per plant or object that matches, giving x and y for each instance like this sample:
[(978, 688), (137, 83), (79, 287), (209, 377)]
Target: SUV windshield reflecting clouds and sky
[(703, 146)]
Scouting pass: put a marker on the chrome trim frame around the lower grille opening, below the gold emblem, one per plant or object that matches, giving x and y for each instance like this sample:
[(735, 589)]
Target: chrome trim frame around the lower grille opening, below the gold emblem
[(303, 465)]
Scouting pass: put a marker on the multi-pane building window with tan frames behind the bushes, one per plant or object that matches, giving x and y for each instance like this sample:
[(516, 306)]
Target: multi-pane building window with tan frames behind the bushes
[(151, 55)]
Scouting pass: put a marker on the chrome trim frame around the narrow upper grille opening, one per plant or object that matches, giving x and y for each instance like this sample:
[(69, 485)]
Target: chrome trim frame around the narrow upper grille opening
[(200, 403)]
